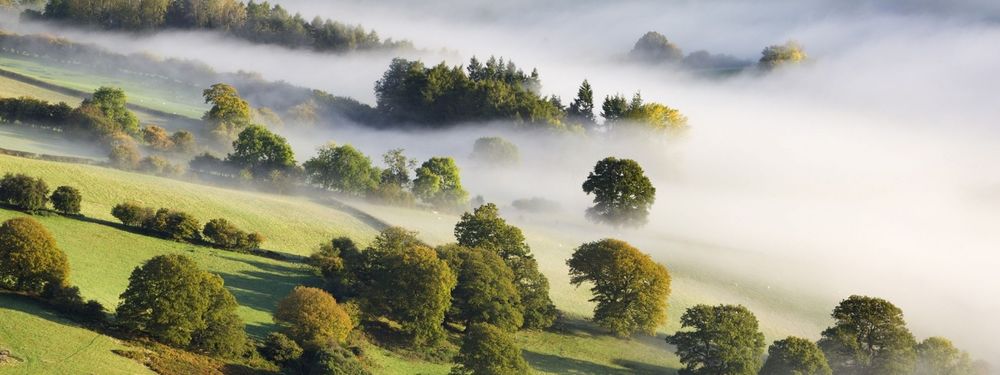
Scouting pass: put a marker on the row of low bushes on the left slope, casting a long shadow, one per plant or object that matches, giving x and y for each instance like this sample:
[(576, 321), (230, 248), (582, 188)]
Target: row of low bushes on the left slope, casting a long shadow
[(181, 226)]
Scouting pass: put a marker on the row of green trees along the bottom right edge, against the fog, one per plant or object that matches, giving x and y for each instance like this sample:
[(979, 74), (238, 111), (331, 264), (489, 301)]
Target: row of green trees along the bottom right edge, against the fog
[(869, 336)]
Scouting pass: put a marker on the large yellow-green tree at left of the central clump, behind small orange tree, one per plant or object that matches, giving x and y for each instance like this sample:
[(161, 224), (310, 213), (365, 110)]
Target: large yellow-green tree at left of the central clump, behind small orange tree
[(405, 281)]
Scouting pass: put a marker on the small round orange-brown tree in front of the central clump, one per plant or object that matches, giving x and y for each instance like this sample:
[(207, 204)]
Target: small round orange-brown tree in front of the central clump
[(312, 317)]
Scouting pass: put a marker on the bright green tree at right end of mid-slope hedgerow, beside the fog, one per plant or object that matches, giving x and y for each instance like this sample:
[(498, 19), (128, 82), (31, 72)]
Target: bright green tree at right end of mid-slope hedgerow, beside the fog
[(439, 184)]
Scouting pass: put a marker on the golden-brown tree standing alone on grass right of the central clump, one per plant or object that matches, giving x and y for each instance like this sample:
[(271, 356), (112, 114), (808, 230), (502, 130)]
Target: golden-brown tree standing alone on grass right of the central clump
[(630, 289)]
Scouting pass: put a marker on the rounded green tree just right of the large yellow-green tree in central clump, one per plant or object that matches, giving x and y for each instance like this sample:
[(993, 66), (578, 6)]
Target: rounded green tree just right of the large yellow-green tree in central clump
[(485, 292)]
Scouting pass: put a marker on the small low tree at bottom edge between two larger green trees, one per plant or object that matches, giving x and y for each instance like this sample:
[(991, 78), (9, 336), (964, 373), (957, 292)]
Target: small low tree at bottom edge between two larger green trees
[(796, 356)]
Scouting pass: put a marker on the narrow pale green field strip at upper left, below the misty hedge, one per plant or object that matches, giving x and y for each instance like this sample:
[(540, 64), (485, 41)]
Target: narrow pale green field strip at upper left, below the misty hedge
[(157, 94)]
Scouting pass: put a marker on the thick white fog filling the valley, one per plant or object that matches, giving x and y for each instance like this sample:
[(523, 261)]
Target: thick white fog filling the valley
[(872, 169)]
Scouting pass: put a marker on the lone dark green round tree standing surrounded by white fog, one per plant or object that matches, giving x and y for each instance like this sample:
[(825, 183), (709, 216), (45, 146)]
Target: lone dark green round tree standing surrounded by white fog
[(623, 194)]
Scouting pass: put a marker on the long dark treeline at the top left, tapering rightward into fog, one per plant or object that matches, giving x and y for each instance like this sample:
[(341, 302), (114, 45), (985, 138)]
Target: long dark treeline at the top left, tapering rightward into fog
[(255, 22)]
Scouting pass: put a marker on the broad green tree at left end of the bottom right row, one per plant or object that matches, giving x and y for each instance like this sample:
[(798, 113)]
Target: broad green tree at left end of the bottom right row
[(725, 340)]
